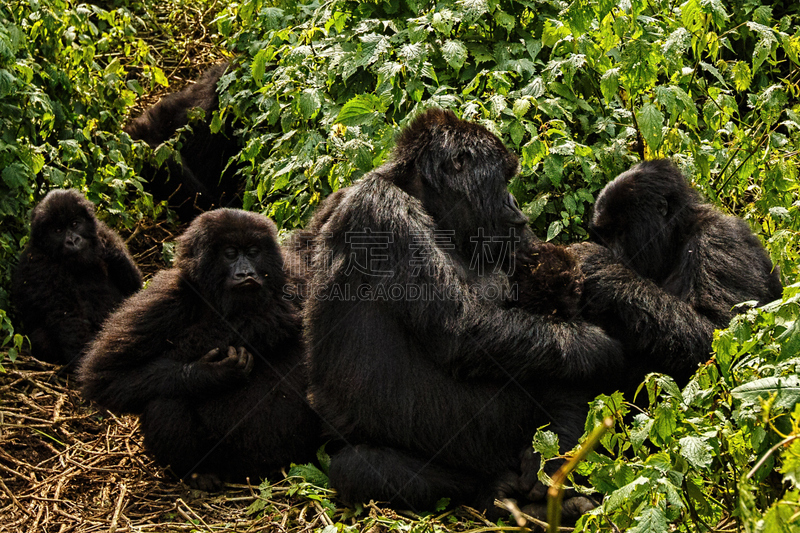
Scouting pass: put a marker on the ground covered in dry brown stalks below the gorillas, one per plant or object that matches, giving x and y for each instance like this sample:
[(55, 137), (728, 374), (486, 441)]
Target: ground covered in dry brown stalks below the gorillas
[(65, 466)]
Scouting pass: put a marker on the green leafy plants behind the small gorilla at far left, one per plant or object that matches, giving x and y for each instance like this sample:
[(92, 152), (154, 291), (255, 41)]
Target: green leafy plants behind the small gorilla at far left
[(63, 93)]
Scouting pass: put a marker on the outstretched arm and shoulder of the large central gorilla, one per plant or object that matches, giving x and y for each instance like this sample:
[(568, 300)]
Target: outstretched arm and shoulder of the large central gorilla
[(467, 335)]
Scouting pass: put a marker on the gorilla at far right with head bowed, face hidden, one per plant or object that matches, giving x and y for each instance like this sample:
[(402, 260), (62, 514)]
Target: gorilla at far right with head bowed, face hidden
[(670, 271)]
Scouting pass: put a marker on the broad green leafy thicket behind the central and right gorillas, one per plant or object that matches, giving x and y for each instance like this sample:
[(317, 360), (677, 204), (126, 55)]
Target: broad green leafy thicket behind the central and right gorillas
[(580, 90)]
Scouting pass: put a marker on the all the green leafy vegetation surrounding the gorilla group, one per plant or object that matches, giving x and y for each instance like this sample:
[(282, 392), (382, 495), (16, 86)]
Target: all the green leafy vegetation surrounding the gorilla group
[(579, 89)]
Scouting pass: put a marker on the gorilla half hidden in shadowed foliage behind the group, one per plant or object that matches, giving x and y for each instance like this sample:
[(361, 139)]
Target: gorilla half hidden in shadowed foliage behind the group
[(200, 182)]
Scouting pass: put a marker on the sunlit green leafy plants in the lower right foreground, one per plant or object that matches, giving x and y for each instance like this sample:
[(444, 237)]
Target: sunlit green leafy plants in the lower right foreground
[(723, 453)]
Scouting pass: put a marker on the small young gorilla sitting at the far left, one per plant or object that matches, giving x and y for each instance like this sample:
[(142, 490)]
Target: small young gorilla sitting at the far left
[(74, 271)]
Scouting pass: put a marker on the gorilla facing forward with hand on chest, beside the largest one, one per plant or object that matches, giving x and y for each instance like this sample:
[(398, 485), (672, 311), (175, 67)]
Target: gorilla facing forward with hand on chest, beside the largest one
[(210, 356)]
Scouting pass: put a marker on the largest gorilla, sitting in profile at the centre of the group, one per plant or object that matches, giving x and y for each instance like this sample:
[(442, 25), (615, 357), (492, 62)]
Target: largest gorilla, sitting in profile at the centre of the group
[(432, 385)]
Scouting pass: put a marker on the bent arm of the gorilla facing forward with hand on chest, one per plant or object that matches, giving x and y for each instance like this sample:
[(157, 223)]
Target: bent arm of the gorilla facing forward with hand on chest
[(132, 361)]
